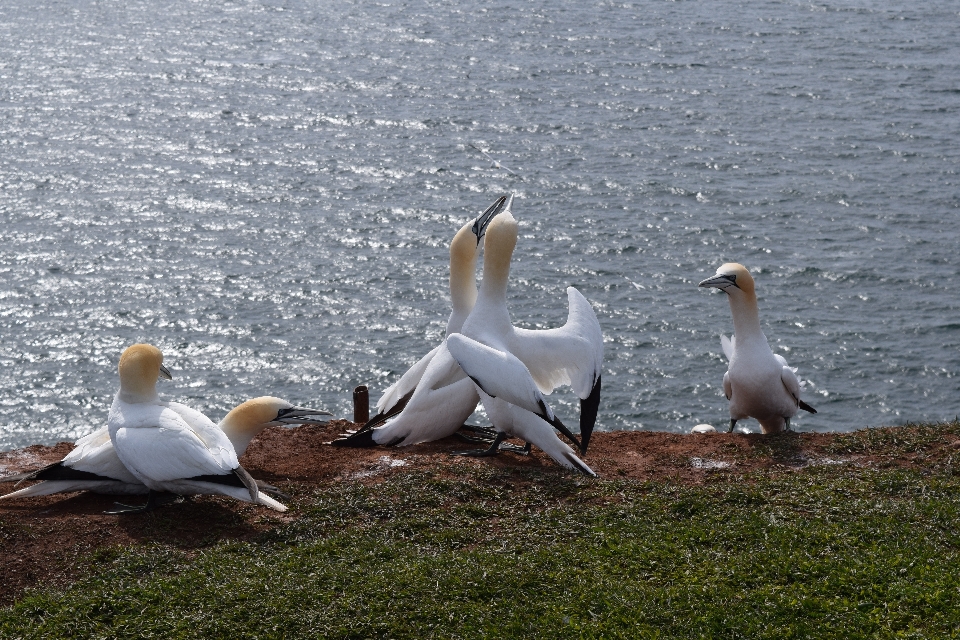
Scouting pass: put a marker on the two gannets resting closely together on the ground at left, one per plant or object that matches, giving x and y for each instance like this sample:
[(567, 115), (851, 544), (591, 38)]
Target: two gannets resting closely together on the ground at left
[(163, 449)]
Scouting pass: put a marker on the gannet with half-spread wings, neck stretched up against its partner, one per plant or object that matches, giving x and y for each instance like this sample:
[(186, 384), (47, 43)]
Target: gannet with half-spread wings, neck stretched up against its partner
[(514, 368)]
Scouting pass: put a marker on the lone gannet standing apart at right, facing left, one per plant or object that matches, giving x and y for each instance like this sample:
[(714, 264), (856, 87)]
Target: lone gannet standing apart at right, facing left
[(758, 383)]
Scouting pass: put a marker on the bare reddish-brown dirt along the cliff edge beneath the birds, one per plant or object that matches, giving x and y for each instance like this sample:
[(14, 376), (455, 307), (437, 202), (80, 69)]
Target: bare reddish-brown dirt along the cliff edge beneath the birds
[(42, 540)]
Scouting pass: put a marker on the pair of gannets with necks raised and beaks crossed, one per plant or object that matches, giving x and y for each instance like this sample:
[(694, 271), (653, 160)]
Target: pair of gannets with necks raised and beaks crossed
[(485, 358)]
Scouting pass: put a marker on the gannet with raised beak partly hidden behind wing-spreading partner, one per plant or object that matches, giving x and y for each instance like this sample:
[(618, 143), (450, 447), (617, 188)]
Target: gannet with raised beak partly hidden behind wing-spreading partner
[(434, 397)]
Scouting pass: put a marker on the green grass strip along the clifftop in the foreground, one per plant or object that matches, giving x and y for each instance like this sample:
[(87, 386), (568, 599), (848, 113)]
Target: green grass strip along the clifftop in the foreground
[(824, 552)]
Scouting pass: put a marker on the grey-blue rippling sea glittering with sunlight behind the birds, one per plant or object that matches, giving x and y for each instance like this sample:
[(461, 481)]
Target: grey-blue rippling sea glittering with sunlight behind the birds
[(266, 190)]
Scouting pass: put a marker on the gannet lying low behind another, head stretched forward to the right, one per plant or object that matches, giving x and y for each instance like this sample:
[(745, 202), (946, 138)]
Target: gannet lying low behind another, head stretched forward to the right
[(93, 465)]
